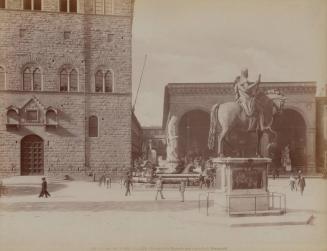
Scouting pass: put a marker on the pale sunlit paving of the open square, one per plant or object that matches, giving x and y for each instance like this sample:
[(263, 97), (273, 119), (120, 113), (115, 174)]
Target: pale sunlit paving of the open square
[(84, 216)]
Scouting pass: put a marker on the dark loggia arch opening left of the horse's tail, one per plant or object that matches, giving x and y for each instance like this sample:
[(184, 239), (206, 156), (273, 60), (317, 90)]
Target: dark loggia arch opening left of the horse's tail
[(193, 130)]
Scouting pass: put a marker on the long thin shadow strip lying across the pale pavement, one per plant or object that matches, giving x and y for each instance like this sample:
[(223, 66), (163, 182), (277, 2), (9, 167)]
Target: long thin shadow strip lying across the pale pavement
[(64, 206)]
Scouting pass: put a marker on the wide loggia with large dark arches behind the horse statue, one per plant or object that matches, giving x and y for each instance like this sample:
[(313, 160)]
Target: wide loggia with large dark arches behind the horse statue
[(296, 126)]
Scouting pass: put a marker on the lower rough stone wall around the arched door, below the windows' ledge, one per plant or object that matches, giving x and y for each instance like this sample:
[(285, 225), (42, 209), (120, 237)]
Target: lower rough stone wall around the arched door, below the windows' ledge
[(67, 148)]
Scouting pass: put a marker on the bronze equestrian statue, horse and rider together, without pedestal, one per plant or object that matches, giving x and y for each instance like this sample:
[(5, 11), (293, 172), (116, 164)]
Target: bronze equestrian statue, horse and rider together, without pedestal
[(253, 110)]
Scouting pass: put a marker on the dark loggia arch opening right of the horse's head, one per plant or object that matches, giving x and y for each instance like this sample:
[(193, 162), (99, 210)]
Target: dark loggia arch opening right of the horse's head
[(291, 132)]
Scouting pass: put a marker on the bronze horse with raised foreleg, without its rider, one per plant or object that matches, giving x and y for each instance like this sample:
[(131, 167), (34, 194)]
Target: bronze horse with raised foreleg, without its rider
[(231, 115)]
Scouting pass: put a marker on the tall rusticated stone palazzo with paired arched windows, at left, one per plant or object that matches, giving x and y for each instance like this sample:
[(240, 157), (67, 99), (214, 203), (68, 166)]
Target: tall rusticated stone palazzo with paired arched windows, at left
[(65, 86)]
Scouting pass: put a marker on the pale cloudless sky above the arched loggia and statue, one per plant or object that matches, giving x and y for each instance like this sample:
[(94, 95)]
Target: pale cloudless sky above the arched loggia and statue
[(212, 40)]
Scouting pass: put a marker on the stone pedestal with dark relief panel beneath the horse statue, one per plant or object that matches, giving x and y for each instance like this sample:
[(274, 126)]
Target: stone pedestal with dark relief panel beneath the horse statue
[(244, 182)]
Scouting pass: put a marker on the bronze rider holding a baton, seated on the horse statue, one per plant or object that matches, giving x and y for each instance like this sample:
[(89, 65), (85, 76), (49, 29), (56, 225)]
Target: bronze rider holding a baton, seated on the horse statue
[(246, 96)]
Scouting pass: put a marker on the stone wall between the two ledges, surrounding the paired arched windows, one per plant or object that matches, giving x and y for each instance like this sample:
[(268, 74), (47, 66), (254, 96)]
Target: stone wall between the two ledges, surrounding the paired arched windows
[(38, 38)]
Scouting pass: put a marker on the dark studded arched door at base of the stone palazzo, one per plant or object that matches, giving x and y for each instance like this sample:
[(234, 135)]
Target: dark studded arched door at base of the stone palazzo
[(32, 152)]
